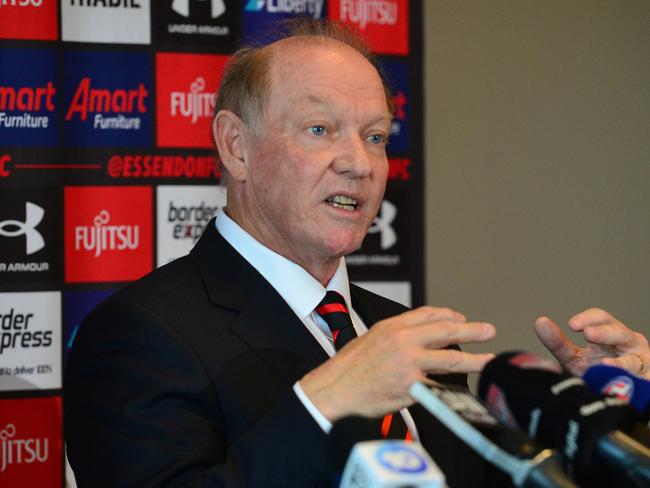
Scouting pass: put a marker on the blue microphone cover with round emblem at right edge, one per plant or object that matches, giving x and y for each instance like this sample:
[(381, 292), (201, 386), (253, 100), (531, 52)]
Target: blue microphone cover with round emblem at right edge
[(619, 383)]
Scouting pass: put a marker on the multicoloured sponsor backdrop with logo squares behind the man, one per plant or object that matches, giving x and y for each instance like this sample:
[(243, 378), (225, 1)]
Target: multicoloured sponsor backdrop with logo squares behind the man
[(107, 171)]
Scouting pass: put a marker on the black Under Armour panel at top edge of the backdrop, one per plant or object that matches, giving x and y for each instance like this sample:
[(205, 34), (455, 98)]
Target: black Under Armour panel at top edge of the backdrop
[(199, 22)]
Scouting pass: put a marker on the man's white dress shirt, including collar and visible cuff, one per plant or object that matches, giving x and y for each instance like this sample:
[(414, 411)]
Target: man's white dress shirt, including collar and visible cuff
[(302, 292)]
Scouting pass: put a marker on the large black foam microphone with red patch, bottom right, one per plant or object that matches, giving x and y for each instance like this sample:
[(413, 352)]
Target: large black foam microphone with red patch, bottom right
[(600, 437)]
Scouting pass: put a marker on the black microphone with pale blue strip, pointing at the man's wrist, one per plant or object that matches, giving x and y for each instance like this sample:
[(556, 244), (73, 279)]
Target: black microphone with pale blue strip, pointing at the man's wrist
[(529, 464)]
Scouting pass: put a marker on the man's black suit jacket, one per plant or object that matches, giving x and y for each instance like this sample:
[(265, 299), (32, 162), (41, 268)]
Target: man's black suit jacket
[(184, 378)]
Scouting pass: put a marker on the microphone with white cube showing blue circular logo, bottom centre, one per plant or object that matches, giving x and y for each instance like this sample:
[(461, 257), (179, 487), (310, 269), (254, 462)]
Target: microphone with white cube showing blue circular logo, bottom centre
[(379, 463)]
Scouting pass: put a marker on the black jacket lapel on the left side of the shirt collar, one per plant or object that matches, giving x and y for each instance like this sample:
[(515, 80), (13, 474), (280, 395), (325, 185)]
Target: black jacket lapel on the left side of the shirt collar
[(263, 320)]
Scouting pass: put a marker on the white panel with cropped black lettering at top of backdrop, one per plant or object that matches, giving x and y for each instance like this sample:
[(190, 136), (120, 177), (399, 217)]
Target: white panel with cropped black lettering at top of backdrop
[(110, 21)]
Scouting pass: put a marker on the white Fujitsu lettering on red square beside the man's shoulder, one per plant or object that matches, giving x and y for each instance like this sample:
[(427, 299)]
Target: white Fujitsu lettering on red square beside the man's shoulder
[(101, 237)]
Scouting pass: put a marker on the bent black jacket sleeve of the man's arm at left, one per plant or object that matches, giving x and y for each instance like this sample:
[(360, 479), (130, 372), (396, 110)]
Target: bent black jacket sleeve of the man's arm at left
[(141, 411)]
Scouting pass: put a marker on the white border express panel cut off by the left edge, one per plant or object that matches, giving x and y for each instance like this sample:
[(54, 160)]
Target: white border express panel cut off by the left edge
[(30, 341)]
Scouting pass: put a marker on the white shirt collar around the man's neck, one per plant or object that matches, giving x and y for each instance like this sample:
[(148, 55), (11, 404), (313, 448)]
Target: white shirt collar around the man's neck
[(296, 286)]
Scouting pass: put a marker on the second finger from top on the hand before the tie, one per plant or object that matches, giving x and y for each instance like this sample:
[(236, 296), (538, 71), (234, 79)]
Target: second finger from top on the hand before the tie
[(442, 334)]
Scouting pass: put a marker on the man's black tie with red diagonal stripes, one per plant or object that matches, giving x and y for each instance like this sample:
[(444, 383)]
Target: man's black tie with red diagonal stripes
[(334, 311)]
